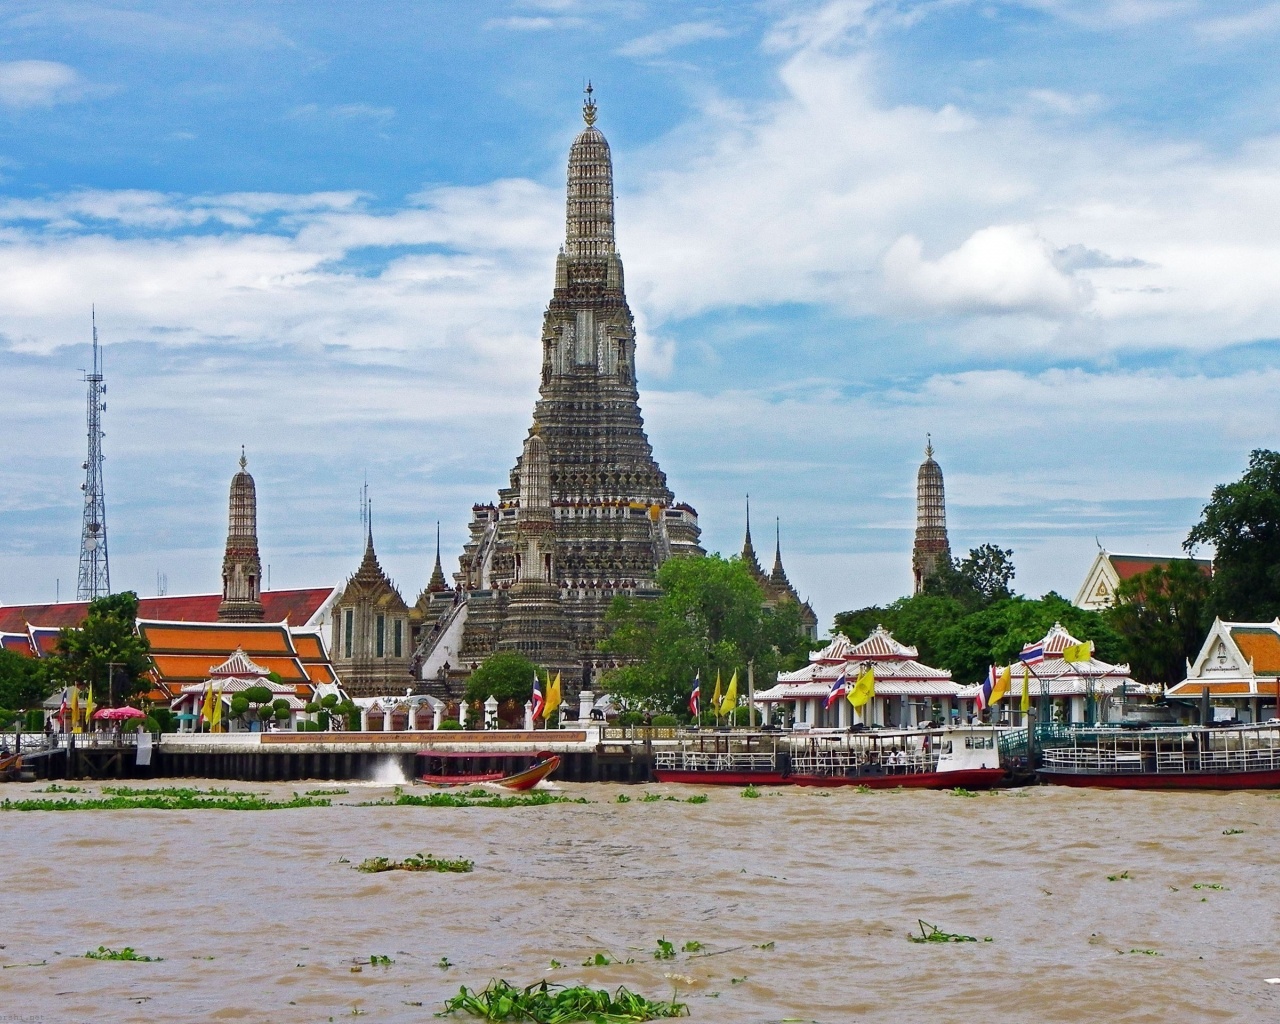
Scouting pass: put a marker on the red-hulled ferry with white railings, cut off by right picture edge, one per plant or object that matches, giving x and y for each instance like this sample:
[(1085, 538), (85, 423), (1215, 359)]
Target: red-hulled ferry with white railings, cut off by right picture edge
[(1187, 758)]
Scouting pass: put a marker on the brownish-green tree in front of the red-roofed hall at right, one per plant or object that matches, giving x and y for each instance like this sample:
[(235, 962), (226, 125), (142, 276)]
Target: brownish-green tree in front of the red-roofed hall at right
[(1163, 615)]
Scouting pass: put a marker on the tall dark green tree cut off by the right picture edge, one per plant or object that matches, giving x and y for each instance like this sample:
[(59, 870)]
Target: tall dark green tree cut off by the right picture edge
[(1242, 523)]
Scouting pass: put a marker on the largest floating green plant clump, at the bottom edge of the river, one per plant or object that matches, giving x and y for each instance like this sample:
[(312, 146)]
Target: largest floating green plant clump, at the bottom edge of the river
[(545, 1004)]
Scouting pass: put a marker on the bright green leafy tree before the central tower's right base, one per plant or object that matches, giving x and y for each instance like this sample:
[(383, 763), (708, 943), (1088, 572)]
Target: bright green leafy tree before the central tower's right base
[(710, 619)]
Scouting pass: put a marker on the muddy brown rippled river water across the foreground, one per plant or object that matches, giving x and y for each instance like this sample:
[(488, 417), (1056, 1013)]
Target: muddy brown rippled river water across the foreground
[(260, 920)]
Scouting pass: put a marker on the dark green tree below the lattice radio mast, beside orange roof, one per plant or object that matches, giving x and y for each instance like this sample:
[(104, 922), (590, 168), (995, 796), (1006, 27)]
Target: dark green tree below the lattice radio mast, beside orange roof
[(108, 638)]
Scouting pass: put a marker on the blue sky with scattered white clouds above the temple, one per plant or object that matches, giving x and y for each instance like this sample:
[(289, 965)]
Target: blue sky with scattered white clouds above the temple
[(1046, 232)]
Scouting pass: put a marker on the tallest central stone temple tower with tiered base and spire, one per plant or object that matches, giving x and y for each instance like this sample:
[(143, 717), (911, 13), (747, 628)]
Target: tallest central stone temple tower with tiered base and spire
[(588, 514)]
